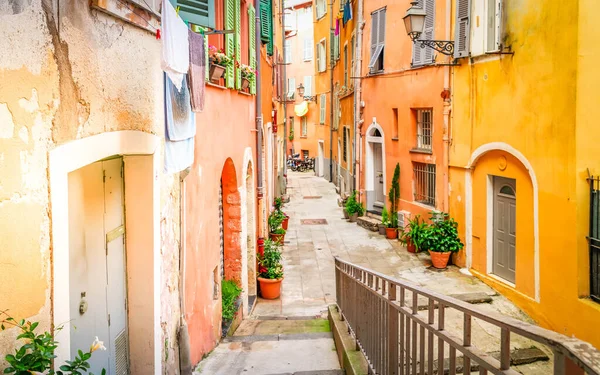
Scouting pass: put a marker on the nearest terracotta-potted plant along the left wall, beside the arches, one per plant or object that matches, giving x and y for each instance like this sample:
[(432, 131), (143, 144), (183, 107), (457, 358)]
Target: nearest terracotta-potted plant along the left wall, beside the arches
[(270, 270)]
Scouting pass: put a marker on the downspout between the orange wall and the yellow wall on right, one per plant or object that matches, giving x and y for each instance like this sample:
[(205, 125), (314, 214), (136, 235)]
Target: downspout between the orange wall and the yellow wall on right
[(447, 110)]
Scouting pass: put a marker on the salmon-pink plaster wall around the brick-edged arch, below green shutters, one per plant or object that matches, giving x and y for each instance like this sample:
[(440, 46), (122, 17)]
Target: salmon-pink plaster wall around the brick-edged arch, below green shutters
[(225, 130)]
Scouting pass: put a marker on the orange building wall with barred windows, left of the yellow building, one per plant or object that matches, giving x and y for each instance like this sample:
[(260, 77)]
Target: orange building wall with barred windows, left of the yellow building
[(403, 87)]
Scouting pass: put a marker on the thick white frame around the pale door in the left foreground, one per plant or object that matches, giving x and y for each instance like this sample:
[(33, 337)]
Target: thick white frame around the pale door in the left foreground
[(143, 238)]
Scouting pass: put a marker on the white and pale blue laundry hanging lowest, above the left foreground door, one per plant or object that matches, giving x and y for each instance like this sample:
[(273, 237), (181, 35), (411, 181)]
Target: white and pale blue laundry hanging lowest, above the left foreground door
[(180, 128)]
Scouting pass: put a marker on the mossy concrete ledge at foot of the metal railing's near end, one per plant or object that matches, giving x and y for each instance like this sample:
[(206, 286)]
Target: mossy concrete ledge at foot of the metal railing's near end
[(353, 362)]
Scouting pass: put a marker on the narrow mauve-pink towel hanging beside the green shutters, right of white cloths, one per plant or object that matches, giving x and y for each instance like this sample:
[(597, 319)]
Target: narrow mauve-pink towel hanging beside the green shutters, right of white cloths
[(197, 73)]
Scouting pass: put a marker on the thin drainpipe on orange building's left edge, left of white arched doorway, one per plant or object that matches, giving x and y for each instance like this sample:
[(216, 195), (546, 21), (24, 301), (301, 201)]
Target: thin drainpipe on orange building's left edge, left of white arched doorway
[(360, 23)]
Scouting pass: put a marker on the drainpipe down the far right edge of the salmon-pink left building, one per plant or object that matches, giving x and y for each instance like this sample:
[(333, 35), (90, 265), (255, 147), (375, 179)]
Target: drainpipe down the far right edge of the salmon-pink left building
[(259, 119)]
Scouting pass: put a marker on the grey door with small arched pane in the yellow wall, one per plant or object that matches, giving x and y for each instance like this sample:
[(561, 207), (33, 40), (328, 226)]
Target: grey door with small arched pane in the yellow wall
[(505, 228)]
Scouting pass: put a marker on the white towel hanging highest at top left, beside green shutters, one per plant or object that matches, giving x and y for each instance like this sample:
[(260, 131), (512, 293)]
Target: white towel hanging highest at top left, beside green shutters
[(175, 59)]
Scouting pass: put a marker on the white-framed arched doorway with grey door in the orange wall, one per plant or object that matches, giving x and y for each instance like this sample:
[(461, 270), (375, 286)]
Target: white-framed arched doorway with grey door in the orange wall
[(375, 169)]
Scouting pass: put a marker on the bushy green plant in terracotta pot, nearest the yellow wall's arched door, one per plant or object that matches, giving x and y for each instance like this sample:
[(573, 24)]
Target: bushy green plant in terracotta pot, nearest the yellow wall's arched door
[(441, 238)]
